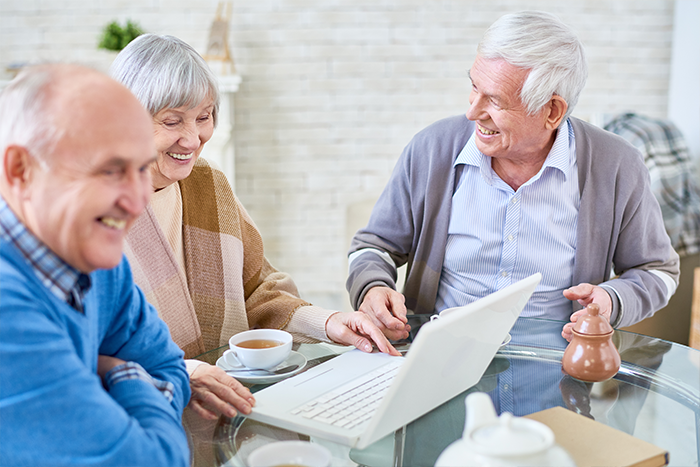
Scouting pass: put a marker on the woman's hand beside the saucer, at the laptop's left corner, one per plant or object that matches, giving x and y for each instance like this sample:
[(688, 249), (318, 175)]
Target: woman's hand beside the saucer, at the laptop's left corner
[(215, 393)]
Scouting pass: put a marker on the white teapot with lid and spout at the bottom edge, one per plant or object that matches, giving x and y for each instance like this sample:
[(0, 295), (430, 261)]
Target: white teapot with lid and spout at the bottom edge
[(504, 441)]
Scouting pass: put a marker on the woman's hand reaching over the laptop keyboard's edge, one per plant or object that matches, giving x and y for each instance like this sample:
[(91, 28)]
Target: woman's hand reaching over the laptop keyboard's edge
[(357, 329)]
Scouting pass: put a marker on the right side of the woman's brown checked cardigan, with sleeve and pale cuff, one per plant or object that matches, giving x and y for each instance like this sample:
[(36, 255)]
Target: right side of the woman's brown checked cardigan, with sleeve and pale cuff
[(227, 265)]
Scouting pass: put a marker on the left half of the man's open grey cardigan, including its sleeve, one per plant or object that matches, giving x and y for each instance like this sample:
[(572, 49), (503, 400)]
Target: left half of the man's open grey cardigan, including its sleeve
[(409, 222)]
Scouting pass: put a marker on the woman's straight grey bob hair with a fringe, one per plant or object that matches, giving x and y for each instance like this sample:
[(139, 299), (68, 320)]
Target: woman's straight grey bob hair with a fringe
[(165, 72)]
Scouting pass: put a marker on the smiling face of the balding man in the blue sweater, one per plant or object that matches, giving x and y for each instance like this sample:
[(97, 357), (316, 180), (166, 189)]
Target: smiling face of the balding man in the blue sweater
[(95, 183)]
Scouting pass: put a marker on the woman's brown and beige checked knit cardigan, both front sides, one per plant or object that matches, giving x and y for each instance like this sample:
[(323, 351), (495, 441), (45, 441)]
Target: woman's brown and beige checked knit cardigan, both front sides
[(228, 285)]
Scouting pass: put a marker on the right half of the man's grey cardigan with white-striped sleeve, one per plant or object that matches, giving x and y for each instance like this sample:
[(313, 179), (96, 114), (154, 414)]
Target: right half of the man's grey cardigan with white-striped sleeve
[(621, 231)]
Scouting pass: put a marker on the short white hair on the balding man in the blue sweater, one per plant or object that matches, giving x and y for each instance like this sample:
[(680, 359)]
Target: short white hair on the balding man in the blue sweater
[(25, 112)]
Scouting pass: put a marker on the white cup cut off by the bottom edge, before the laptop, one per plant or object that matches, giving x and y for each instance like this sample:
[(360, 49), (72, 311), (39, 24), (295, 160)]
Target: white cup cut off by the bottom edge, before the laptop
[(302, 453)]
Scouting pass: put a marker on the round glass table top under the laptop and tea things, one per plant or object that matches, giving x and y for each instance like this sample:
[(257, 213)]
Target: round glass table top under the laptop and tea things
[(655, 397)]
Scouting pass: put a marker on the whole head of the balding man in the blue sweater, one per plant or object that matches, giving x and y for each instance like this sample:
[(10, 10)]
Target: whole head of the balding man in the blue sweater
[(75, 147)]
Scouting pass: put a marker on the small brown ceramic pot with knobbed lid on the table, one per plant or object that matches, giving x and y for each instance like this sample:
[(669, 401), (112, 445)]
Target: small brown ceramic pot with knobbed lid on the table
[(591, 355)]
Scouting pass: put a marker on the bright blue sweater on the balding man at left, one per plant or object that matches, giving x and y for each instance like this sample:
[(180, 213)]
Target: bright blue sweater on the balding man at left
[(53, 407)]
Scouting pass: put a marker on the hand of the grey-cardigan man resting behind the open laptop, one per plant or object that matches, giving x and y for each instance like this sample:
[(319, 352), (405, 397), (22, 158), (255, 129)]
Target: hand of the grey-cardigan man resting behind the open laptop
[(385, 307)]
